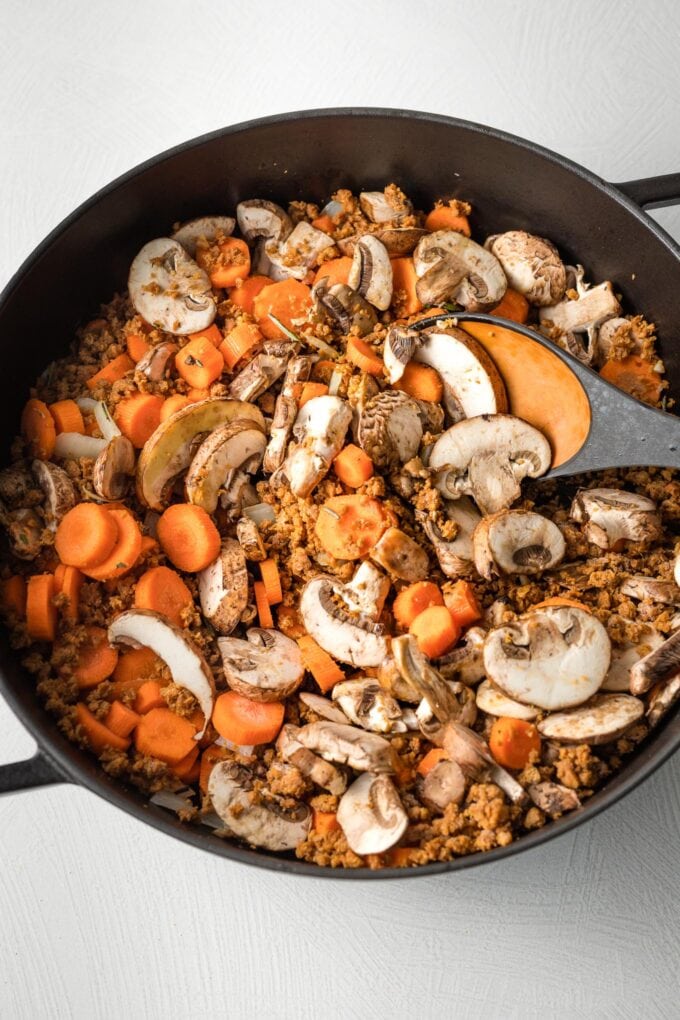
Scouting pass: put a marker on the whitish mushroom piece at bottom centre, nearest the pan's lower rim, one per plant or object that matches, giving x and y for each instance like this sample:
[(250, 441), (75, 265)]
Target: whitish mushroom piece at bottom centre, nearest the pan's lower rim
[(372, 815)]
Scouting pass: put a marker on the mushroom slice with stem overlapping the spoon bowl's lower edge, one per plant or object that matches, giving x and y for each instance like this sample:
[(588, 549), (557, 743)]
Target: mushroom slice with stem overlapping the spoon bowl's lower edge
[(488, 457)]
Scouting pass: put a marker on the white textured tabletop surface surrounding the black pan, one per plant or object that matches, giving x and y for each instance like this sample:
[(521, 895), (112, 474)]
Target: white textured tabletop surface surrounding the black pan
[(101, 917)]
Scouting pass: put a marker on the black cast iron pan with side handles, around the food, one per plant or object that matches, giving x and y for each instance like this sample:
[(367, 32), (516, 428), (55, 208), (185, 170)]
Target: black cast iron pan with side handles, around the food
[(511, 183)]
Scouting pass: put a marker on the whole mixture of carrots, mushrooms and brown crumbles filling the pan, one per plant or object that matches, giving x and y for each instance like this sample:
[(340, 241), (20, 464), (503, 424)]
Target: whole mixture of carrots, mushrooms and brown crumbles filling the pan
[(281, 556)]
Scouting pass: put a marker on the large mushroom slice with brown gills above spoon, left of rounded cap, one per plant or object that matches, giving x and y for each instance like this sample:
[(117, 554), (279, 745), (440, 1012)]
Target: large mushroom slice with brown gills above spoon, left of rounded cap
[(452, 268)]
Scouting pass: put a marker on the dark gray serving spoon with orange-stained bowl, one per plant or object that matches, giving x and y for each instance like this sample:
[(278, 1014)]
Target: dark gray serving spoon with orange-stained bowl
[(591, 424)]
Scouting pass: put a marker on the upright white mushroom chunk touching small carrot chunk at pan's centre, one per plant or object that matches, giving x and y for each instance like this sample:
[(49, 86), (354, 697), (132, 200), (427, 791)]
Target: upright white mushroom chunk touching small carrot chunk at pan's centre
[(320, 432)]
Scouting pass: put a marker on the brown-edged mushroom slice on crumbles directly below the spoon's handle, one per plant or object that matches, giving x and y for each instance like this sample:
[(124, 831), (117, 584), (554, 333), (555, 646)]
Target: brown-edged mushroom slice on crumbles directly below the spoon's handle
[(613, 518)]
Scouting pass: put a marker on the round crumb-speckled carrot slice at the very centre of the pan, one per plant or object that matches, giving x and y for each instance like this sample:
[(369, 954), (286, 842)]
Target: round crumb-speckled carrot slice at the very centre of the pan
[(349, 527)]
